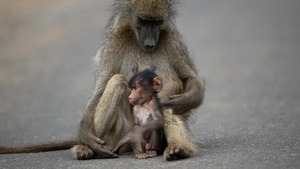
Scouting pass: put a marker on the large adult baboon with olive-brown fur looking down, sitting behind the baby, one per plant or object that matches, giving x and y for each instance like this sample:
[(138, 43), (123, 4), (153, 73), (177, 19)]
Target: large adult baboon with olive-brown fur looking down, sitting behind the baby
[(141, 34)]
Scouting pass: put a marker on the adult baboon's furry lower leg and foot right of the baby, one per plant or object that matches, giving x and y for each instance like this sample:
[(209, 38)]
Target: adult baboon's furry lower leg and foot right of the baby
[(180, 142)]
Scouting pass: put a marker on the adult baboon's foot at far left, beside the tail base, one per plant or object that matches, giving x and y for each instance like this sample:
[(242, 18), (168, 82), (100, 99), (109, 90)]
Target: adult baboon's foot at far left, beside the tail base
[(82, 152)]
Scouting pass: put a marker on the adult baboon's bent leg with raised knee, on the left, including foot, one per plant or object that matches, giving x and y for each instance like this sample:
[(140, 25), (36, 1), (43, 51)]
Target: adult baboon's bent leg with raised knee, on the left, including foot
[(113, 117)]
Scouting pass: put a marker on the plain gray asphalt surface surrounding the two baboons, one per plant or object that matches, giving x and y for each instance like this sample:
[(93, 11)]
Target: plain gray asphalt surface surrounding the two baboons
[(248, 52)]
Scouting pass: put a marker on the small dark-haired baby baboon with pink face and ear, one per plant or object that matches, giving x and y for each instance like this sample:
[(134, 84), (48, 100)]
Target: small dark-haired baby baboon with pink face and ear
[(147, 133)]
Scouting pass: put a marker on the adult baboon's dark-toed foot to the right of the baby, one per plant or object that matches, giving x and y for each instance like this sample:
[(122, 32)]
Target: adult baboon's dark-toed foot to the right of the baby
[(174, 152)]
